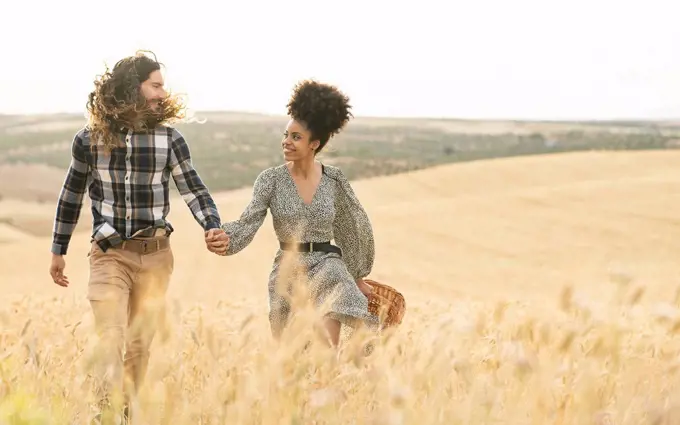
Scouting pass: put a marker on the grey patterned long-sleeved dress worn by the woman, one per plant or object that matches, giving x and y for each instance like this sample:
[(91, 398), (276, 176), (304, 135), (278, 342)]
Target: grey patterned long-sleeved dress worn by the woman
[(334, 214)]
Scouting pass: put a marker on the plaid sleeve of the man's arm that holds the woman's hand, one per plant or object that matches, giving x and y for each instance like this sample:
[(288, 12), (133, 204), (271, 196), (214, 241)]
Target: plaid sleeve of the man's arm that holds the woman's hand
[(190, 185)]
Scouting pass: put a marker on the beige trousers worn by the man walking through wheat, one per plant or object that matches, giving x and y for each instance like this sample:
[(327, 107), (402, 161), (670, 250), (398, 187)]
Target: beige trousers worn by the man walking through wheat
[(127, 293)]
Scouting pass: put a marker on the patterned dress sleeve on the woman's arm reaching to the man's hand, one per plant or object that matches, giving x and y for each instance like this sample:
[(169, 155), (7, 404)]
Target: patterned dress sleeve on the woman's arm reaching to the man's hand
[(242, 231)]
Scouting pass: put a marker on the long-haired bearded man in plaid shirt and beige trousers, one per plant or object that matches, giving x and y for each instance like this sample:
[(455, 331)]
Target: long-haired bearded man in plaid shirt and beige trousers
[(125, 157)]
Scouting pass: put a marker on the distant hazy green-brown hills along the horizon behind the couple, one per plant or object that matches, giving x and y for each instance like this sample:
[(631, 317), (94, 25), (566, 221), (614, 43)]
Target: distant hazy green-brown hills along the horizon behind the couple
[(230, 149)]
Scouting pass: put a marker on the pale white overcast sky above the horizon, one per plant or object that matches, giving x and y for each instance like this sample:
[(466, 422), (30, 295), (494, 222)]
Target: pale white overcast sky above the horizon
[(473, 58)]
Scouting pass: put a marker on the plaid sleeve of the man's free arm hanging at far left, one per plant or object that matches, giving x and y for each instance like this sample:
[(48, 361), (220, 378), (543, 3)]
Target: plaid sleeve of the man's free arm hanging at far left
[(70, 199)]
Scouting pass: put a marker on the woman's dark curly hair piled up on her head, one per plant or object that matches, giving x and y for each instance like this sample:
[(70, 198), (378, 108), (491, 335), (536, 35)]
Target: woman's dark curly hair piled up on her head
[(322, 108)]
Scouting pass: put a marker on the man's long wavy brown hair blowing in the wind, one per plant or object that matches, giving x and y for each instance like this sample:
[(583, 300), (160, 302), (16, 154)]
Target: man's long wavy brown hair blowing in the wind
[(117, 103)]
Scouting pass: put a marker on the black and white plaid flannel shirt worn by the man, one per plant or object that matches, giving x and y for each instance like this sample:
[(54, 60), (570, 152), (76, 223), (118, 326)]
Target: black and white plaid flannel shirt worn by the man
[(129, 188)]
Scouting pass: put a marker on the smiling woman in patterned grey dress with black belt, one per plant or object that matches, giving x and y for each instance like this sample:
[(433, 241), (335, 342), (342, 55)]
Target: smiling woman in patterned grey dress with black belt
[(312, 204)]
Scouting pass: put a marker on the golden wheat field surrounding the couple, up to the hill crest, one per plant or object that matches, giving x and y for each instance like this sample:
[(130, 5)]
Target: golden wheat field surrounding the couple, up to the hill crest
[(539, 290)]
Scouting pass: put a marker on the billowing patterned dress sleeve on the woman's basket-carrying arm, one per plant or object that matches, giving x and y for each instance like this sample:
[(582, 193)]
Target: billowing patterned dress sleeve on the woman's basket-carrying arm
[(352, 228)]
